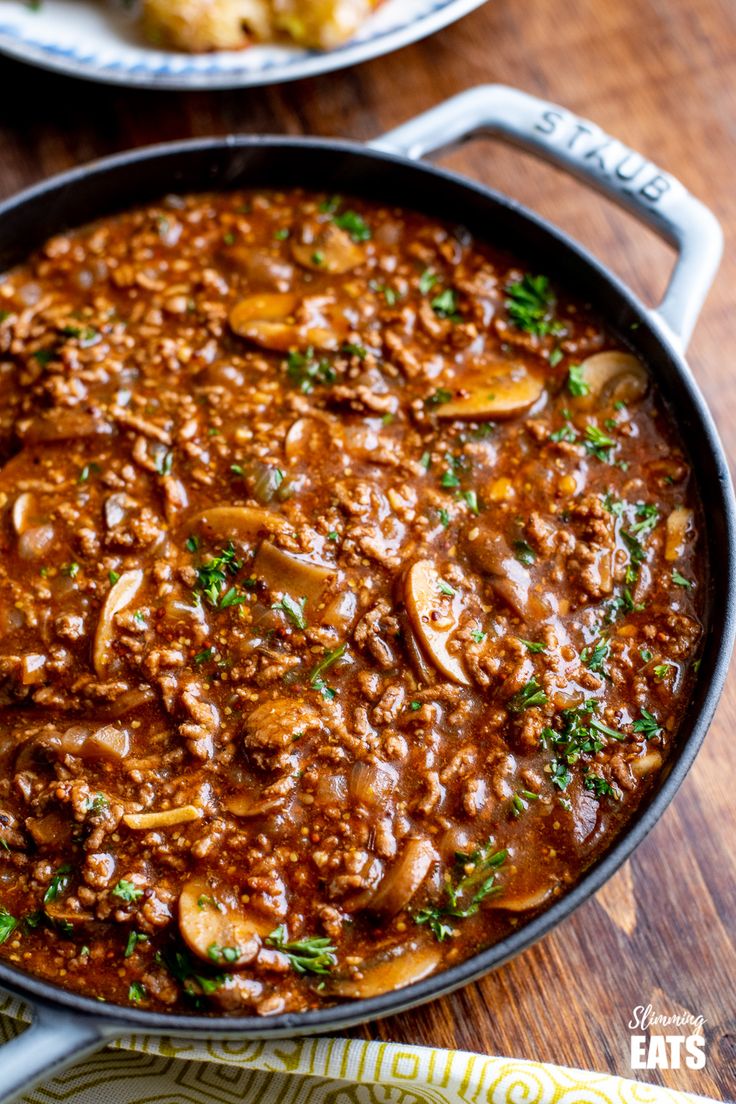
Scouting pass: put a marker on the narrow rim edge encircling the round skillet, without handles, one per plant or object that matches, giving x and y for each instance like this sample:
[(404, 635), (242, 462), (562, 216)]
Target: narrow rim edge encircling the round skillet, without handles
[(116, 1018)]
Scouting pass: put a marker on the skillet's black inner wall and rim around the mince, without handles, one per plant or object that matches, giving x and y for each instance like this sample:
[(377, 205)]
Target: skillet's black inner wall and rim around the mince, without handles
[(145, 176)]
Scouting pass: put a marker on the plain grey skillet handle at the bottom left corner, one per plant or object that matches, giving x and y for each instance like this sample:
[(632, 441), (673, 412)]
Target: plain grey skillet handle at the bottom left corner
[(55, 1042)]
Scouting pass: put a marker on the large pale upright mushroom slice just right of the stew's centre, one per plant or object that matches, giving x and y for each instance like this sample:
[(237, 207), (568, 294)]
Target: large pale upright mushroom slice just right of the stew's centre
[(435, 618)]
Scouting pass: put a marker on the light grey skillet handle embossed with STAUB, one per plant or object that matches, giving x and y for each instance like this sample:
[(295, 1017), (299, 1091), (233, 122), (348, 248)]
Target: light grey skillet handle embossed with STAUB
[(604, 163)]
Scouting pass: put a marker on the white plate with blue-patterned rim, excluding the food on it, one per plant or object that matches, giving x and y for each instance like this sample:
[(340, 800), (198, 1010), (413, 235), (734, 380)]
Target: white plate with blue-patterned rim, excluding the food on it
[(100, 43)]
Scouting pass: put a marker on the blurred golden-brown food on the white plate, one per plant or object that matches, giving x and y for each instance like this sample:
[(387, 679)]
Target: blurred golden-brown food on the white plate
[(200, 26)]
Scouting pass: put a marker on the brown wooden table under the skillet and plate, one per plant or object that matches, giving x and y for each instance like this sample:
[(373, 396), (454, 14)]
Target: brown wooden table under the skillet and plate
[(660, 75)]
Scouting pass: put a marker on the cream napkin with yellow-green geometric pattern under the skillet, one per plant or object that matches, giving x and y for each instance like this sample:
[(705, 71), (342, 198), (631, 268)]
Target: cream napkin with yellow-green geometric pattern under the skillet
[(321, 1071)]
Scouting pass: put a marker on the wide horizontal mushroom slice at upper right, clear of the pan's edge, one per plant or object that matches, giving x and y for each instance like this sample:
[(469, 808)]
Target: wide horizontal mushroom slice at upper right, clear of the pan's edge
[(494, 392)]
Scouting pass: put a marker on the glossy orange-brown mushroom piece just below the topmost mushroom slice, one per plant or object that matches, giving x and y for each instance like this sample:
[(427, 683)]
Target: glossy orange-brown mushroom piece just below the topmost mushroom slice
[(286, 322)]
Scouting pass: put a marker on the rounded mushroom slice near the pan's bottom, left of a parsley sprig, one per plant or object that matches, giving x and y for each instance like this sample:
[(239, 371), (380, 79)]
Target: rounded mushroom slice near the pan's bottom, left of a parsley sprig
[(217, 930)]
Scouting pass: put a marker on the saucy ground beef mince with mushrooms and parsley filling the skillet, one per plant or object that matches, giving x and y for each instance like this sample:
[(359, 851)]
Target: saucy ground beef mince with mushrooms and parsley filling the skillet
[(350, 599)]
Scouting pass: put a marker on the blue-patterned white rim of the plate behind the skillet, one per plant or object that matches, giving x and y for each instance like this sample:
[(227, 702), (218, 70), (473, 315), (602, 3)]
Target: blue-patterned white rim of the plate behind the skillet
[(279, 65)]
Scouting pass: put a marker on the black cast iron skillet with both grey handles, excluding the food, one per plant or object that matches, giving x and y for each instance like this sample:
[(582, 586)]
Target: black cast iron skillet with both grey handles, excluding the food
[(67, 1026)]
